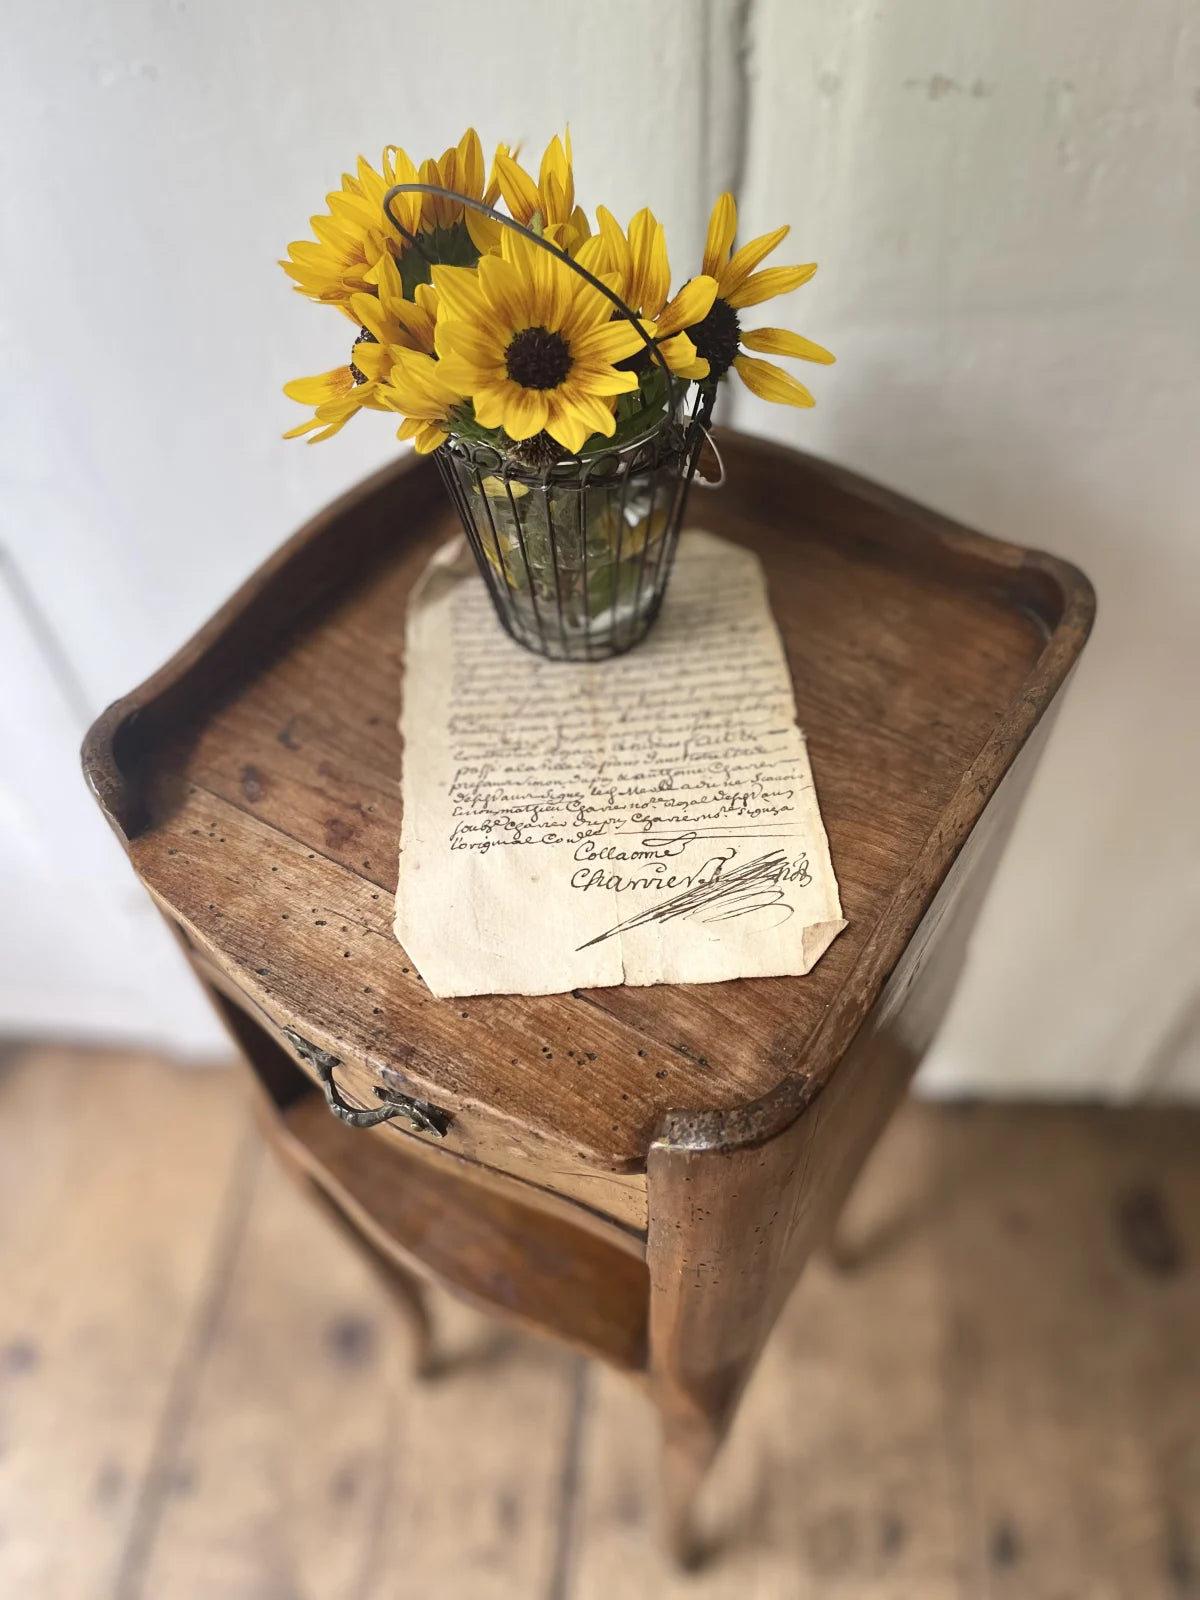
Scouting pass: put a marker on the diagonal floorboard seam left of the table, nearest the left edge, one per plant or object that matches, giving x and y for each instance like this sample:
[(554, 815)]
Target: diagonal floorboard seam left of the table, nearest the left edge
[(188, 1370)]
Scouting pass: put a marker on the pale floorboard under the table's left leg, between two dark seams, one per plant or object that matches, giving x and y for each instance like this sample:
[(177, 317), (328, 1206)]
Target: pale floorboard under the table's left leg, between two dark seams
[(314, 1465)]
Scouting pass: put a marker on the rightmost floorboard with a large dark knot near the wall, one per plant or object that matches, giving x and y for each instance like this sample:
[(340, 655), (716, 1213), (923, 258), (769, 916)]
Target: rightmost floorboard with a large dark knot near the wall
[(1071, 1246)]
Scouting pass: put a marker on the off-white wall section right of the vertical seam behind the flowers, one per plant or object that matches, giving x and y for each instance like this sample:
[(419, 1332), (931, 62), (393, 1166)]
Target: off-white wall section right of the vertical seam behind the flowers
[(1006, 204)]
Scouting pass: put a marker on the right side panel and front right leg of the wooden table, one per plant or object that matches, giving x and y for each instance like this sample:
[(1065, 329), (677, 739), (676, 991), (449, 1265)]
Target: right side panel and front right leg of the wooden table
[(732, 1228)]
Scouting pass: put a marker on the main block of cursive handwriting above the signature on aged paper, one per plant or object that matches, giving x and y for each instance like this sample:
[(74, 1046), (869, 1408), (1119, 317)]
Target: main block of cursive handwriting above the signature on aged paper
[(687, 746)]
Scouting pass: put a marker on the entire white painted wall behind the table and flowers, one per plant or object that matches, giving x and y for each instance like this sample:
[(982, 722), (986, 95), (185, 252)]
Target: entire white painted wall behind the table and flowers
[(1004, 201)]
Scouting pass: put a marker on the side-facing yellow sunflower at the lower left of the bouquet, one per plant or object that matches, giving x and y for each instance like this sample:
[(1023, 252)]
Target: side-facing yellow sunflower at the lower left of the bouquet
[(390, 327)]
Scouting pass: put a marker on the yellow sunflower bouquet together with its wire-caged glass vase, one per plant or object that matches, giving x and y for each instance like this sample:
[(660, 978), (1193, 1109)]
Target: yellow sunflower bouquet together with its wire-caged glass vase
[(546, 362)]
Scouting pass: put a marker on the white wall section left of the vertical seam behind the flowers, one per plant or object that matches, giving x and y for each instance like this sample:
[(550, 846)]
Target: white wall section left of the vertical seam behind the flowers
[(156, 158)]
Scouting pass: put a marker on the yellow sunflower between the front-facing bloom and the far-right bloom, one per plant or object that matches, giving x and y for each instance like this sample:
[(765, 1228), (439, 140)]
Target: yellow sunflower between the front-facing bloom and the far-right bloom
[(636, 266)]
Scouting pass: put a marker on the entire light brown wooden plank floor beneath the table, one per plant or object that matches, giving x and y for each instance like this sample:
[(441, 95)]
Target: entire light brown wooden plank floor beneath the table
[(207, 1396)]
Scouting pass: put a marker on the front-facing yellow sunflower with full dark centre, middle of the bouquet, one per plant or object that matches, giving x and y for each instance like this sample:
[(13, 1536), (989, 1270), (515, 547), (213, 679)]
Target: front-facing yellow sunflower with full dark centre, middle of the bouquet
[(534, 345)]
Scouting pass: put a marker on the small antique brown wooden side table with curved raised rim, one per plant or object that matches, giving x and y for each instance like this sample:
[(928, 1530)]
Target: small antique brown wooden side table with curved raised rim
[(639, 1172)]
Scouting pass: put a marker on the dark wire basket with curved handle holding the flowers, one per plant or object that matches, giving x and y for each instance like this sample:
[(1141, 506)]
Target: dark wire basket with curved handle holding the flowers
[(577, 554)]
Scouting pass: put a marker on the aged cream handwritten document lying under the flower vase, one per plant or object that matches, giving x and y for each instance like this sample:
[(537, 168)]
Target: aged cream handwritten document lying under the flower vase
[(638, 822)]
